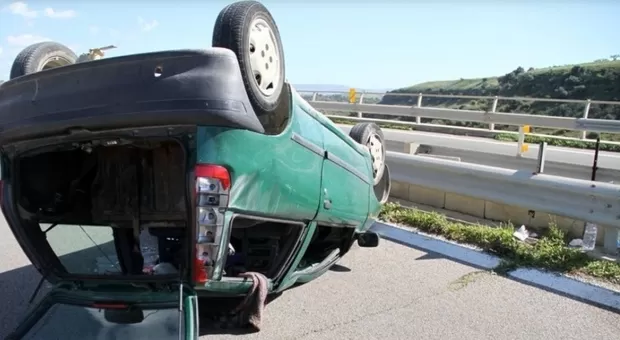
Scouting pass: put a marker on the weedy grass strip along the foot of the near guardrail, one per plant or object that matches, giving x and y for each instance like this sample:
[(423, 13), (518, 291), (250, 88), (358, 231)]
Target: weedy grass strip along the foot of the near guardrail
[(550, 252)]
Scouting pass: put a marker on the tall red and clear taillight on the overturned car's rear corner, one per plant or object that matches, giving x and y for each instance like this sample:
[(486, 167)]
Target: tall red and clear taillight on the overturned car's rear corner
[(212, 187)]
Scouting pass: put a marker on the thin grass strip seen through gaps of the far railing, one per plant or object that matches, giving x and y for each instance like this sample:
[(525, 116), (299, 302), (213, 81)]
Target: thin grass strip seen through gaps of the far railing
[(508, 137)]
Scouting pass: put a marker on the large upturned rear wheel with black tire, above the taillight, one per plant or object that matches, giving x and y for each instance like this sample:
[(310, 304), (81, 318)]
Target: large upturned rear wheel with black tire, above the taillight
[(248, 29)]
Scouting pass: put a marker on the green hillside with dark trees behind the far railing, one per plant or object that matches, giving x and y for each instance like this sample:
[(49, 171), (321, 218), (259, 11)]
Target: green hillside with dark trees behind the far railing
[(598, 80)]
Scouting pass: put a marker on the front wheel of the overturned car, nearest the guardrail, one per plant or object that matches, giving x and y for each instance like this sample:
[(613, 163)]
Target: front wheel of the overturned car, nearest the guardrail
[(371, 136)]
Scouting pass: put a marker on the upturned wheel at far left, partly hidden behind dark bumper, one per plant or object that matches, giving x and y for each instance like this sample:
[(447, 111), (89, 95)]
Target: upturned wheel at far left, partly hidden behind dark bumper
[(41, 56)]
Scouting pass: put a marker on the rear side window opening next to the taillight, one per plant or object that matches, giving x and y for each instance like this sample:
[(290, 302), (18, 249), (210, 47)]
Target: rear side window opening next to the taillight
[(261, 246)]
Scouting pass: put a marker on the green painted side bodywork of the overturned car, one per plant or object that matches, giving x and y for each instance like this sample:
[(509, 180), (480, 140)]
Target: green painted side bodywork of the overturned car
[(267, 170)]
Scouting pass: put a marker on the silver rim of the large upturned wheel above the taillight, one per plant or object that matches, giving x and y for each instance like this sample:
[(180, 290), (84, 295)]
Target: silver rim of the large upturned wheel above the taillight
[(264, 57)]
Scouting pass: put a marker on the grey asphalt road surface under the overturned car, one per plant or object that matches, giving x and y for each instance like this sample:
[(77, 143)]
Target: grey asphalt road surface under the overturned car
[(390, 292)]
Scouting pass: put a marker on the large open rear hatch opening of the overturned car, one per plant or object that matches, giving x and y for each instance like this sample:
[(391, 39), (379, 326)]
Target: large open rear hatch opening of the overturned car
[(107, 207)]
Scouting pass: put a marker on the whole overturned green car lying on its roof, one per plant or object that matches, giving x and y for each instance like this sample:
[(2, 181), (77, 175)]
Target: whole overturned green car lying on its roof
[(161, 180)]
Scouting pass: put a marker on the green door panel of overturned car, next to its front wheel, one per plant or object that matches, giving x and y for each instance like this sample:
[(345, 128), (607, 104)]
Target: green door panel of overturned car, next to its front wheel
[(345, 184)]
